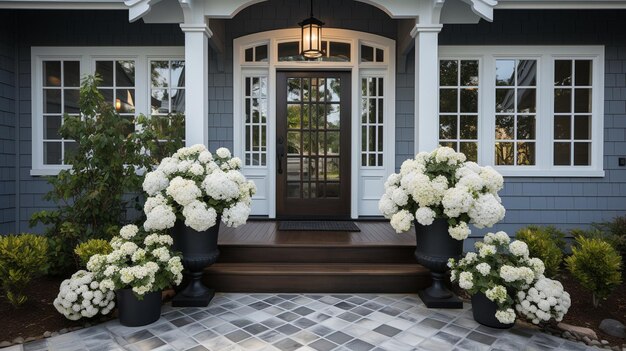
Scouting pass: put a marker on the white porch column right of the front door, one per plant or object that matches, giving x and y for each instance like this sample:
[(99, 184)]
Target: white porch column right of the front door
[(426, 86)]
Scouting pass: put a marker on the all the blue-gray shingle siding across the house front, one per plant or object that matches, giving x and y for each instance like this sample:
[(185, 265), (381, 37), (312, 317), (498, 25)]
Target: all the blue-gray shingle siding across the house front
[(566, 202)]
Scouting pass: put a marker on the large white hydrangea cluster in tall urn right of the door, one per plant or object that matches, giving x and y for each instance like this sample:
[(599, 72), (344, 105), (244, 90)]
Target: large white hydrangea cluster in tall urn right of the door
[(440, 184)]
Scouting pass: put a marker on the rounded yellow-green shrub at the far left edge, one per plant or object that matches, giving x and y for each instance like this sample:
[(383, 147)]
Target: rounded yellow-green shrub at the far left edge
[(22, 258)]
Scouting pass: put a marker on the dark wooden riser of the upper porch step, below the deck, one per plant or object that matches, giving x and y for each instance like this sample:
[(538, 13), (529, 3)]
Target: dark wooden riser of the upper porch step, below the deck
[(313, 253)]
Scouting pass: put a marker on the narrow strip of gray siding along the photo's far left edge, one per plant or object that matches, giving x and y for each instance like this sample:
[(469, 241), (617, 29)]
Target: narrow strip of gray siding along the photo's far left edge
[(7, 126)]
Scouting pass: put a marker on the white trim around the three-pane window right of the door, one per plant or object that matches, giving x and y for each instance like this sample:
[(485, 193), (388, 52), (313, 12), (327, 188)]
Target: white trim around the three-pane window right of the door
[(545, 55)]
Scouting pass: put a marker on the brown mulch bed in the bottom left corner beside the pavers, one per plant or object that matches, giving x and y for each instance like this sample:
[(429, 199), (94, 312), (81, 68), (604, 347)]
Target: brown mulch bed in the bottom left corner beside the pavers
[(37, 315)]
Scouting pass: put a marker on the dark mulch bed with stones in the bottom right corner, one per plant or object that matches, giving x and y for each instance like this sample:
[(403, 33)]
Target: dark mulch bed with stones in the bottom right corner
[(582, 313)]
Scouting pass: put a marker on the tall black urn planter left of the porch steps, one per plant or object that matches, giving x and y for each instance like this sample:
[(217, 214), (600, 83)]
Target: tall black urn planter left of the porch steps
[(199, 251)]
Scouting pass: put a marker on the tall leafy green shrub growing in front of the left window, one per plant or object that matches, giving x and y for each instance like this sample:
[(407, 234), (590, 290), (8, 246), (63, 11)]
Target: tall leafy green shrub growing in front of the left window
[(92, 196)]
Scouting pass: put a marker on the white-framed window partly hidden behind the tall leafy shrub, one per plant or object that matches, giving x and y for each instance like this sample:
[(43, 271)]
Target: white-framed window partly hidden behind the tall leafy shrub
[(146, 80)]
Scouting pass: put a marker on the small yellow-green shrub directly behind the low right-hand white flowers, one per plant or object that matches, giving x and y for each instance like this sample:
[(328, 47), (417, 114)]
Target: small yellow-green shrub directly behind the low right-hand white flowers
[(545, 243)]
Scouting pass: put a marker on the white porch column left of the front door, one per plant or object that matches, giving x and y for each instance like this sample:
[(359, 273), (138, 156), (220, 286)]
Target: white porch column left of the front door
[(196, 83)]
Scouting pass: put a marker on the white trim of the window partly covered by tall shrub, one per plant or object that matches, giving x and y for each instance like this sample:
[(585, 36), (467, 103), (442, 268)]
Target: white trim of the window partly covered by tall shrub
[(87, 57)]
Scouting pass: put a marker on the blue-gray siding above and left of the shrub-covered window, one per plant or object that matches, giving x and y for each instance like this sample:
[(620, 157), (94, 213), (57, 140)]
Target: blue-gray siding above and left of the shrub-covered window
[(69, 28)]
